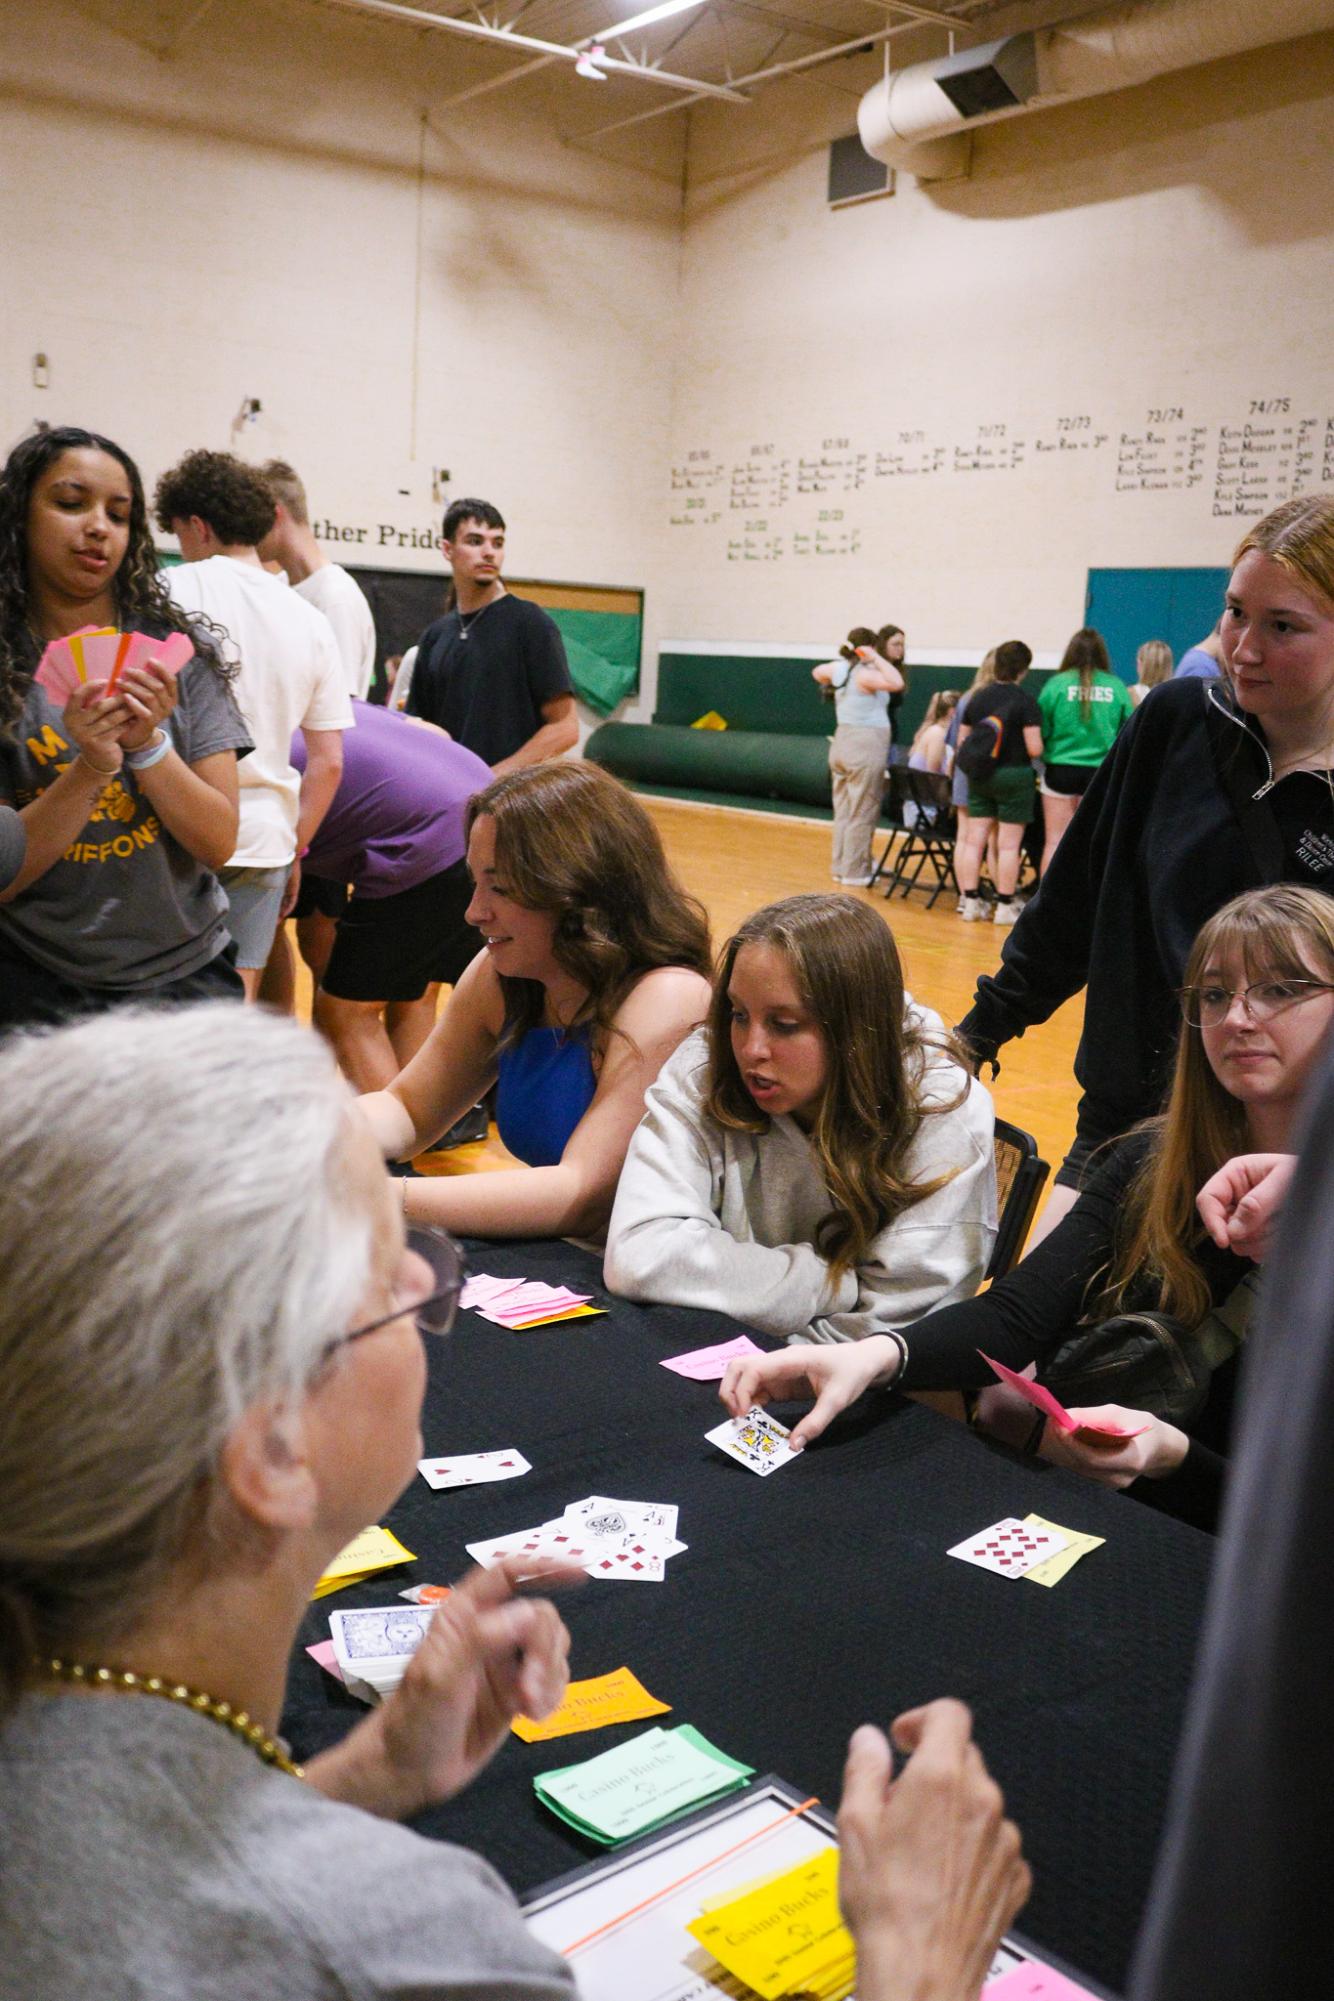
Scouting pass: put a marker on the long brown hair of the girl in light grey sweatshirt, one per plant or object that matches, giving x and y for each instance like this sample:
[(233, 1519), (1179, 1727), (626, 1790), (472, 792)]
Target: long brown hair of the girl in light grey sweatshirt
[(847, 969)]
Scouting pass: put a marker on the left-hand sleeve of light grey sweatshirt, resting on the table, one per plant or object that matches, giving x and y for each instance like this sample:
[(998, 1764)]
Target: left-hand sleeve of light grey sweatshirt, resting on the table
[(667, 1240)]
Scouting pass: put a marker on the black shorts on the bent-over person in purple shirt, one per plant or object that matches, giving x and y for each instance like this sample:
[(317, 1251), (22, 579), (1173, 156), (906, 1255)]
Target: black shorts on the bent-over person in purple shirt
[(393, 947)]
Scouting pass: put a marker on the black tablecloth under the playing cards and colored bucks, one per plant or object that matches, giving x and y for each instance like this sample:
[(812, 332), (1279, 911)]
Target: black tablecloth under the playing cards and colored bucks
[(807, 1602)]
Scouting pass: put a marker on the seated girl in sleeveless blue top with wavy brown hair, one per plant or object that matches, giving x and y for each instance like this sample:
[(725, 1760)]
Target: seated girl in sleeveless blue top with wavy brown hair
[(593, 971)]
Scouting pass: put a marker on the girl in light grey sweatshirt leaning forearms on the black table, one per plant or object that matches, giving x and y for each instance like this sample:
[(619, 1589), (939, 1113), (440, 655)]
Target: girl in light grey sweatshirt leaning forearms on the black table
[(817, 1162)]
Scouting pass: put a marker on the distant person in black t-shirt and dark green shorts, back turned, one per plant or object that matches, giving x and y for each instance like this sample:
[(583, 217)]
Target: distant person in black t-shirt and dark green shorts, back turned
[(1009, 719)]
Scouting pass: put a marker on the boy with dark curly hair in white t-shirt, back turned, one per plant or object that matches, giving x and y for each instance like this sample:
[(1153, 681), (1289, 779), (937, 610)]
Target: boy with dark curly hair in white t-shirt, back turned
[(289, 677)]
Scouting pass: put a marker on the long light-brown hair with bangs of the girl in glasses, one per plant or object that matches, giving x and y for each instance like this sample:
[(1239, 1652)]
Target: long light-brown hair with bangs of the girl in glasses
[(1287, 933)]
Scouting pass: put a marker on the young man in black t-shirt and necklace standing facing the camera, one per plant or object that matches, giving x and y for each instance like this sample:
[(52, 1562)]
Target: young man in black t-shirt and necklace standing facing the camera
[(493, 671)]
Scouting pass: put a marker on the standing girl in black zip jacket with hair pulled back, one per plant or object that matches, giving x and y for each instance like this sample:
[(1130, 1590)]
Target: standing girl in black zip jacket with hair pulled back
[(1213, 787)]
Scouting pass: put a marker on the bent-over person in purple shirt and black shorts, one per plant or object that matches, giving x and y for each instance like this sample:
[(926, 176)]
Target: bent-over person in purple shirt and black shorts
[(395, 837)]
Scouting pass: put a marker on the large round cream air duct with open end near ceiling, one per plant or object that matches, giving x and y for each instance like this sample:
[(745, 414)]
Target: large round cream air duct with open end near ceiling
[(923, 117)]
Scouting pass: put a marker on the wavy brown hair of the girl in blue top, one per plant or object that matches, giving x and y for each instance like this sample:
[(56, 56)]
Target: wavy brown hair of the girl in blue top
[(571, 839)]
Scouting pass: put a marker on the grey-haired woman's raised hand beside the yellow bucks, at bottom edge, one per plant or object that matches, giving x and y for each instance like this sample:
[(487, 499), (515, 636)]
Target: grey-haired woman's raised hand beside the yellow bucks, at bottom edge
[(931, 1874)]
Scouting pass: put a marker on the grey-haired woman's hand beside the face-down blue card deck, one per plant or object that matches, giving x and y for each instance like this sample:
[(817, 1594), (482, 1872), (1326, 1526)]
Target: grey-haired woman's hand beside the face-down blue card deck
[(489, 1658)]
